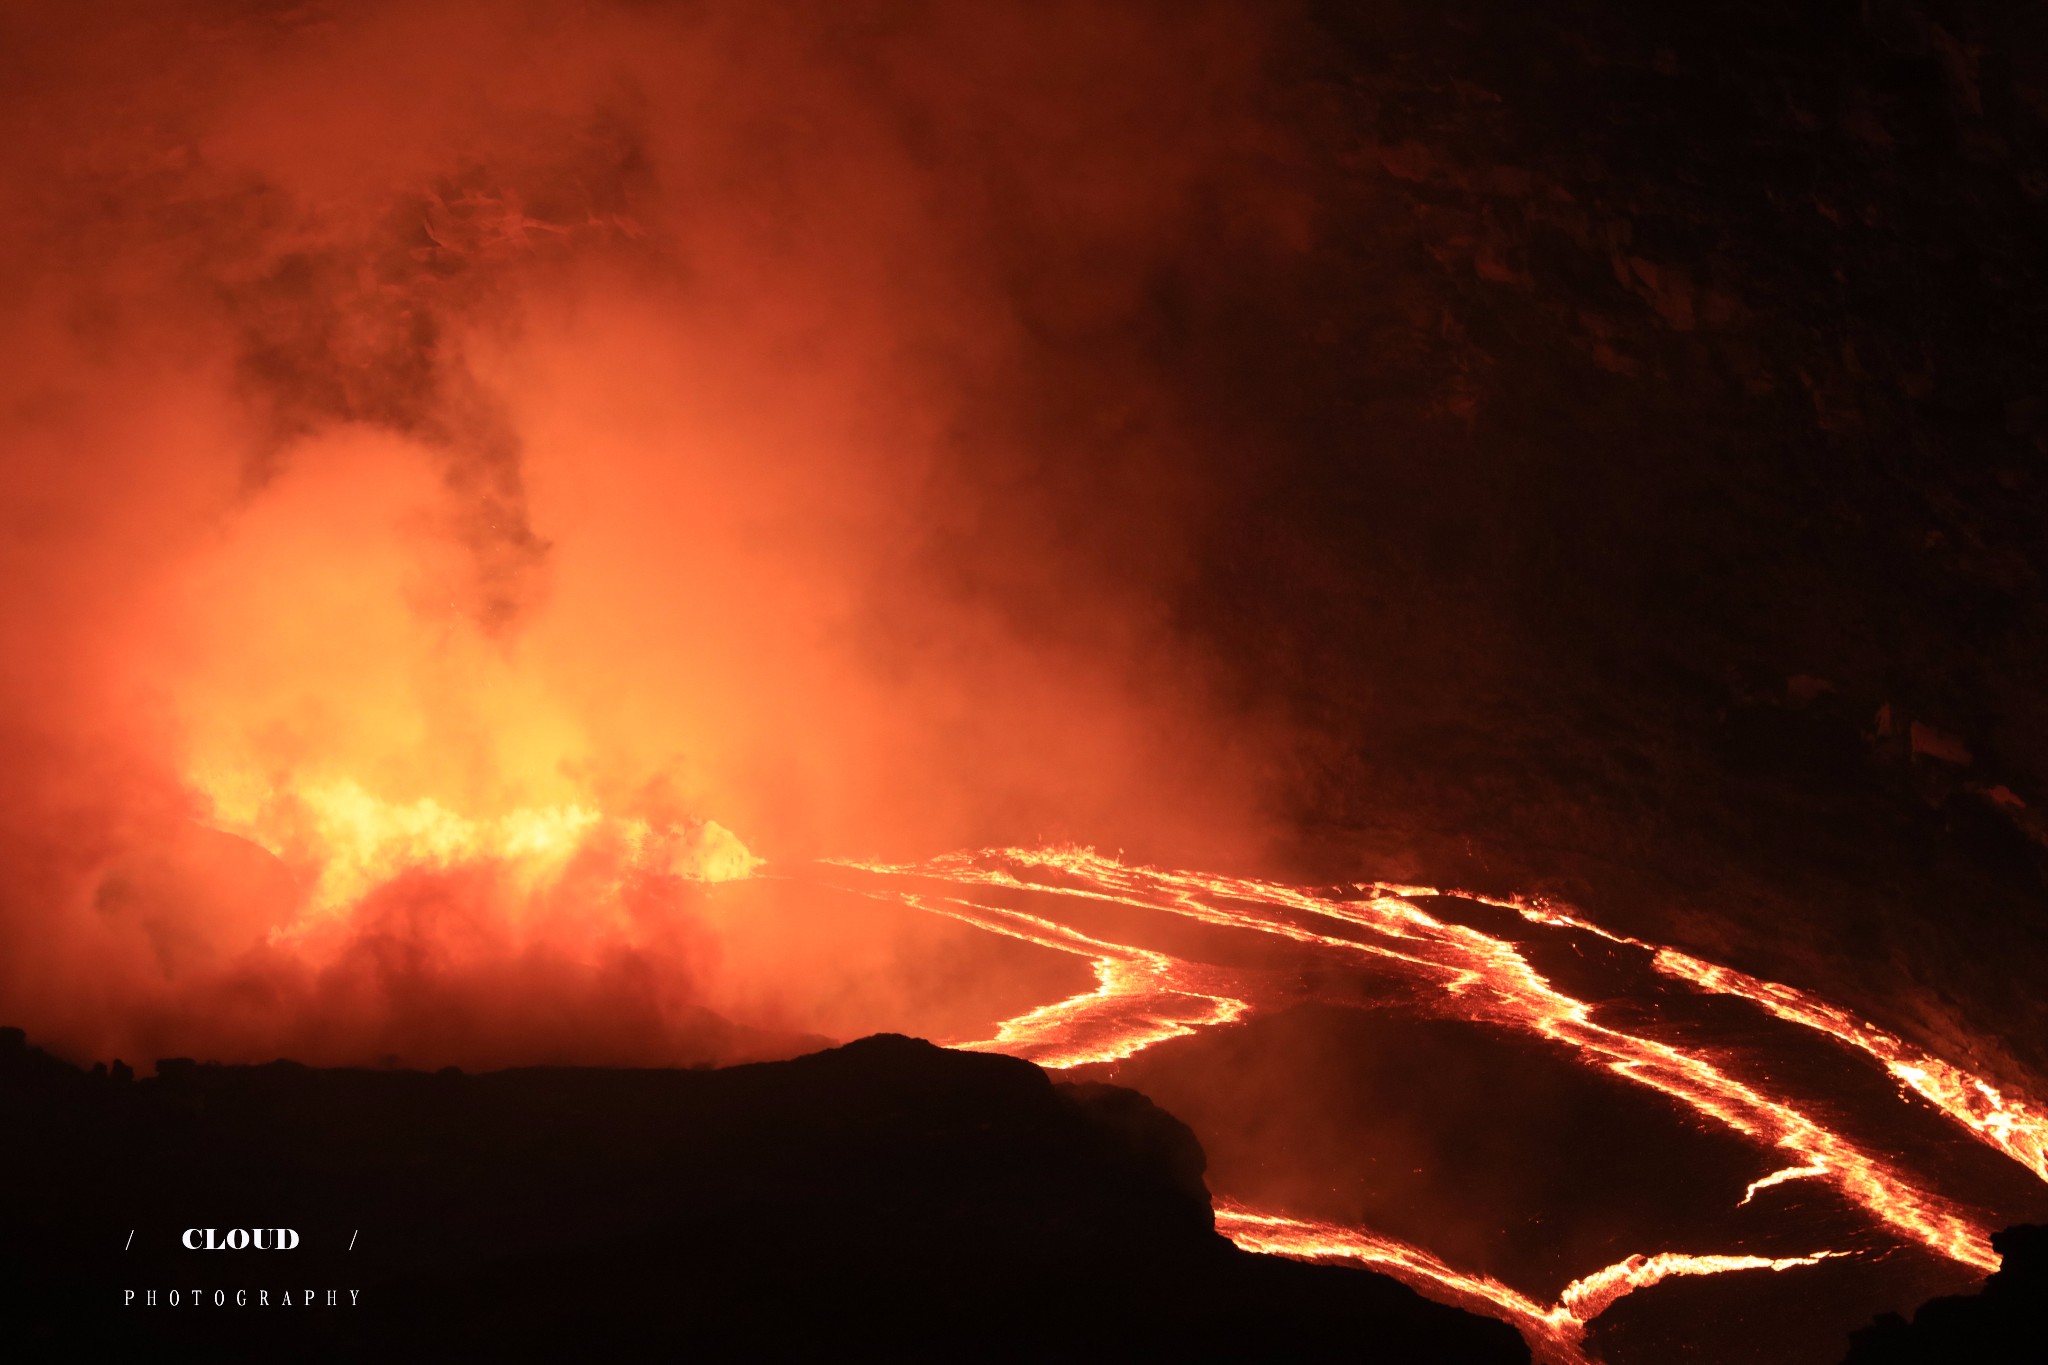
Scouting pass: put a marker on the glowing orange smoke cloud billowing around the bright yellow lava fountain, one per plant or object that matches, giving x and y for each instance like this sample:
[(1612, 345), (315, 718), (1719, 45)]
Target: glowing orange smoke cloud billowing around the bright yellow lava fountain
[(476, 470)]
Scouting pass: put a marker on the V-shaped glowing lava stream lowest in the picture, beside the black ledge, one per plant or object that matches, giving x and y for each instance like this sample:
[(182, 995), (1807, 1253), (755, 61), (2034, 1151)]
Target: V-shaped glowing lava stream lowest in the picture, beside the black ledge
[(1553, 1331)]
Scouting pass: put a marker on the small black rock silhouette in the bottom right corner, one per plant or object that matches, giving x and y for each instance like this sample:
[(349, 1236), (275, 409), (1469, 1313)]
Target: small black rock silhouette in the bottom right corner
[(2006, 1323)]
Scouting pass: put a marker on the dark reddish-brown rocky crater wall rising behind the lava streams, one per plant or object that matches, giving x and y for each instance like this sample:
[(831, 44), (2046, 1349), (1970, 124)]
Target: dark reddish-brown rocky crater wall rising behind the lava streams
[(1652, 482)]
